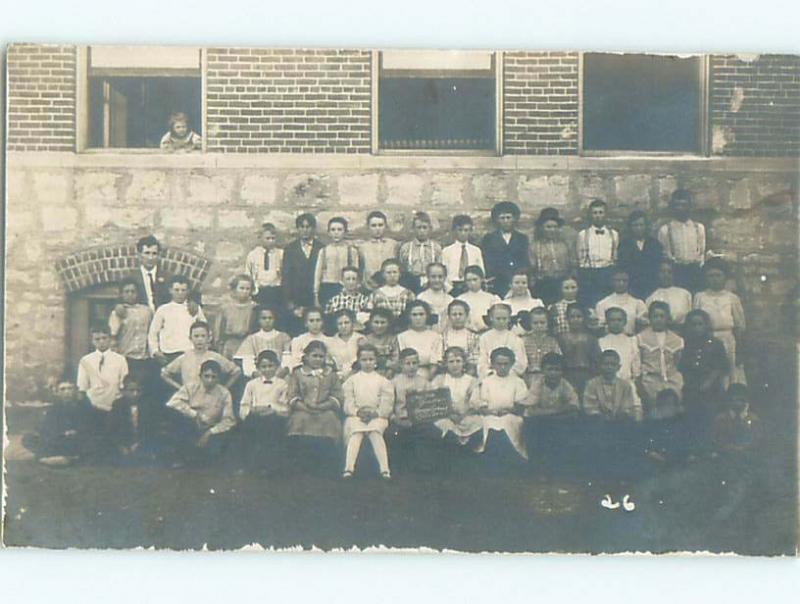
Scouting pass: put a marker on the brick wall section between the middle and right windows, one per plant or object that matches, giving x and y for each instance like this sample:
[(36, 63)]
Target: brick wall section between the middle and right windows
[(540, 103)]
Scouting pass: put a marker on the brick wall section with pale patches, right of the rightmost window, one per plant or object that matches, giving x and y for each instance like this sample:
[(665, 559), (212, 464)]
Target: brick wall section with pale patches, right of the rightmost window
[(755, 105)]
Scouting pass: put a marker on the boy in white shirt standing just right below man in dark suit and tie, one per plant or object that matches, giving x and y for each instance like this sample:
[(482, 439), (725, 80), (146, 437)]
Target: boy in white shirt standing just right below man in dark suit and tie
[(168, 337)]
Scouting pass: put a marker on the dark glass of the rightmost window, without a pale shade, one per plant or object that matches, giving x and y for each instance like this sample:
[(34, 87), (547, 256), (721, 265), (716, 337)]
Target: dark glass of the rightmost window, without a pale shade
[(643, 103)]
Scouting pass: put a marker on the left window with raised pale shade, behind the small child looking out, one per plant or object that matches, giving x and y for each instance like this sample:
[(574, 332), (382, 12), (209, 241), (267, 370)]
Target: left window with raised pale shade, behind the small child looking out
[(133, 91)]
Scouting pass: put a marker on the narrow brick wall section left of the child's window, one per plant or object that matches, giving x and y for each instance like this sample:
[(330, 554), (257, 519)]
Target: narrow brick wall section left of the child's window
[(41, 97)]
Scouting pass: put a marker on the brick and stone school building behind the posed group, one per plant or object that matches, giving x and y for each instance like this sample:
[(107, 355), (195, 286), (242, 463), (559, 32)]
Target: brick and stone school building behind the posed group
[(345, 131)]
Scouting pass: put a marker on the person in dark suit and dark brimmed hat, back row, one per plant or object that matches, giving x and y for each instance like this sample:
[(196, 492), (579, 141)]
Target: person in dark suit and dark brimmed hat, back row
[(505, 249)]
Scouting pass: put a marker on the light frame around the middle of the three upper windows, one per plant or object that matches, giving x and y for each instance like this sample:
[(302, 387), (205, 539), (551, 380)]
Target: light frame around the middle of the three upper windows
[(497, 151)]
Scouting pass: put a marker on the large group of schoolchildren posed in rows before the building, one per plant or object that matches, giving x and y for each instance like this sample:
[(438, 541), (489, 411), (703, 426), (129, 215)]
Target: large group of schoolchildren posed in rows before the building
[(606, 347)]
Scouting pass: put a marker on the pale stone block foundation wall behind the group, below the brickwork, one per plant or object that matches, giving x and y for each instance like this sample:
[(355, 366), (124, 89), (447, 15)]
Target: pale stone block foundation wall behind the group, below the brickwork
[(59, 204)]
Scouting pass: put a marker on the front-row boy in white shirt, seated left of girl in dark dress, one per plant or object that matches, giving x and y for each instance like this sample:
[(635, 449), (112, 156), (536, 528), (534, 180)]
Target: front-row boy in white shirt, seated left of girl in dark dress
[(263, 411)]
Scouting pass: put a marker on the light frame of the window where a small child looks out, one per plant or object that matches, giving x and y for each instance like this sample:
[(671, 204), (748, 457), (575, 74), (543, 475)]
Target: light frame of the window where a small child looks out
[(82, 108)]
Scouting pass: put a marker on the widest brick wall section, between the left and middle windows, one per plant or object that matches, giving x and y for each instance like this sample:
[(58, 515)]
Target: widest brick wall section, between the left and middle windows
[(291, 101)]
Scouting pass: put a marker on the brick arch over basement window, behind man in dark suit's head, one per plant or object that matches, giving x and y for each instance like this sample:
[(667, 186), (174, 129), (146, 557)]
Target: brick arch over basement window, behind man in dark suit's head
[(110, 264)]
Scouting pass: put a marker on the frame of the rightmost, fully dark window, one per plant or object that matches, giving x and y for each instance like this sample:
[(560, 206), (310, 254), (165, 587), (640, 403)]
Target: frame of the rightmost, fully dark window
[(703, 134)]
